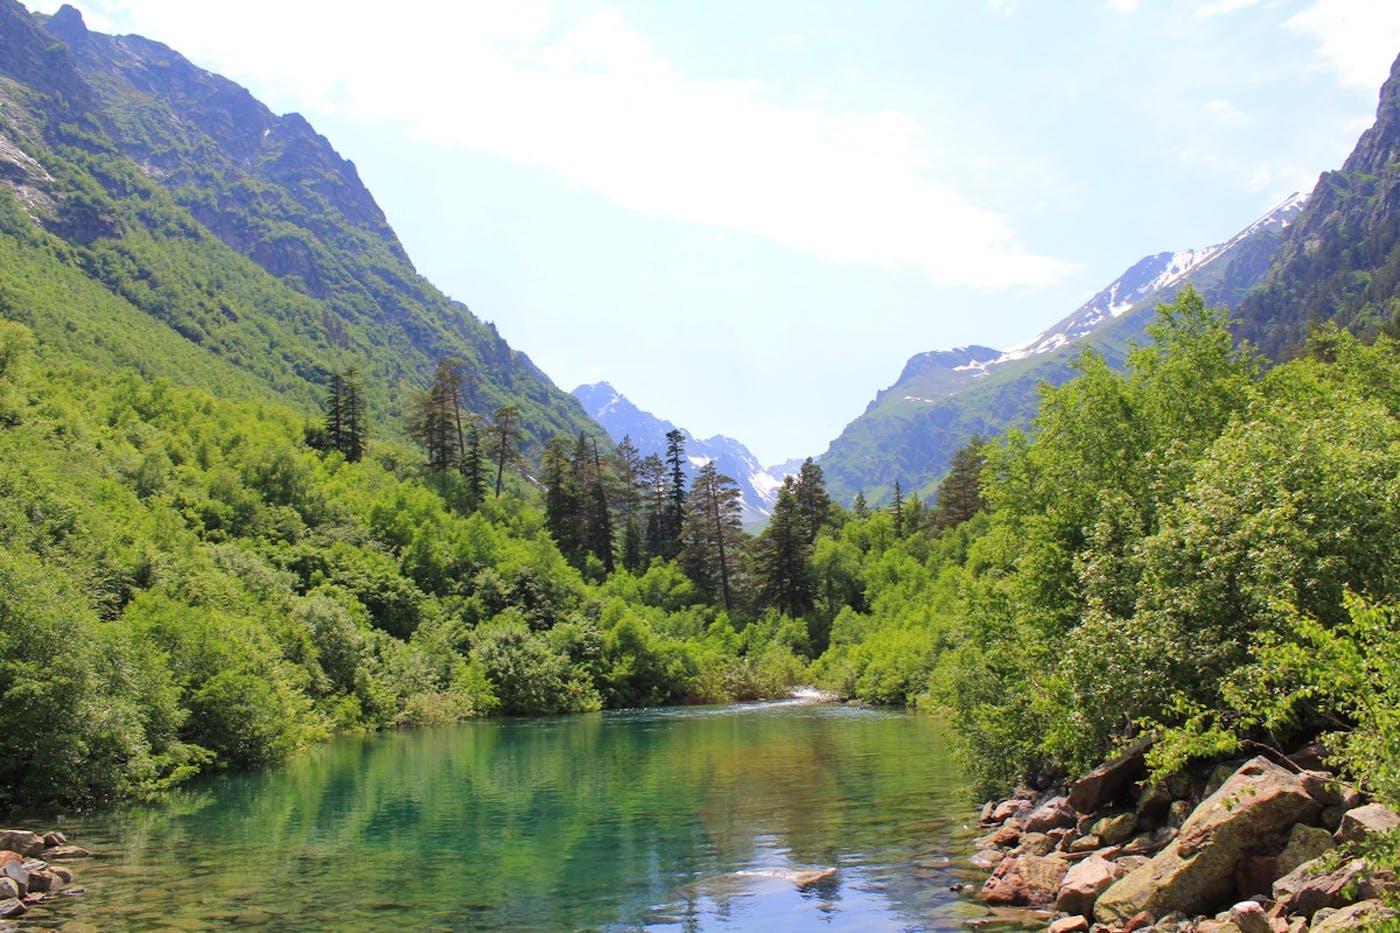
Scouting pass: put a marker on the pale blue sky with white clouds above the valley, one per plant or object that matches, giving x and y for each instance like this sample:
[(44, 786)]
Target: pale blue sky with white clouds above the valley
[(748, 215)]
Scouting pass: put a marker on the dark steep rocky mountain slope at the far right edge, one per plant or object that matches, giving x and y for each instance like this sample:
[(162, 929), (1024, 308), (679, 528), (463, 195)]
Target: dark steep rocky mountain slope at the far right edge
[(1342, 261)]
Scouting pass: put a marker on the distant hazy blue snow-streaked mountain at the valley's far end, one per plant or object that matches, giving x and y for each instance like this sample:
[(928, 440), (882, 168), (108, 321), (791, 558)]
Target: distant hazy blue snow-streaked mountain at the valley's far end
[(758, 487)]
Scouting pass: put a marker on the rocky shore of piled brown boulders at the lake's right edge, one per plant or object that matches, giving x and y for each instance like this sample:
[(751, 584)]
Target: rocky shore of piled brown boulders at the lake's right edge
[(1266, 845)]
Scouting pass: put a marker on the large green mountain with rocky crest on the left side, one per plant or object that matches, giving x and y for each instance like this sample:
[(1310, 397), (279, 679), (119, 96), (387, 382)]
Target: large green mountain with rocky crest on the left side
[(156, 216)]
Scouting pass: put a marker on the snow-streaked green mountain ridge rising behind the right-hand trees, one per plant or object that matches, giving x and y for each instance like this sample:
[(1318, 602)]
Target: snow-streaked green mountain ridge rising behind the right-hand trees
[(912, 429)]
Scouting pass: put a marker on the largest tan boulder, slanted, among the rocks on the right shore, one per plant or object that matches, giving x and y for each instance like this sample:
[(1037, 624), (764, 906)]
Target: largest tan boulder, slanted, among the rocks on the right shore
[(1195, 872)]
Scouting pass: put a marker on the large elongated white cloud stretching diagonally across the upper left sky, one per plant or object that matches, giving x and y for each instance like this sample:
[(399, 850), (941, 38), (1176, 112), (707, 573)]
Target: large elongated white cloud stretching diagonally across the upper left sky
[(591, 102)]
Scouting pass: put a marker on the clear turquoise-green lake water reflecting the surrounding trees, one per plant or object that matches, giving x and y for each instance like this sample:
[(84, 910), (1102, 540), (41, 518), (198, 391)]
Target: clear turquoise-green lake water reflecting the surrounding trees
[(677, 820)]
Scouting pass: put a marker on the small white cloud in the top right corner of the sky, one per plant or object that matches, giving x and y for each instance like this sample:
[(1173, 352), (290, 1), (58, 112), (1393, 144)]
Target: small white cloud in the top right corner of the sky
[(1359, 39)]
